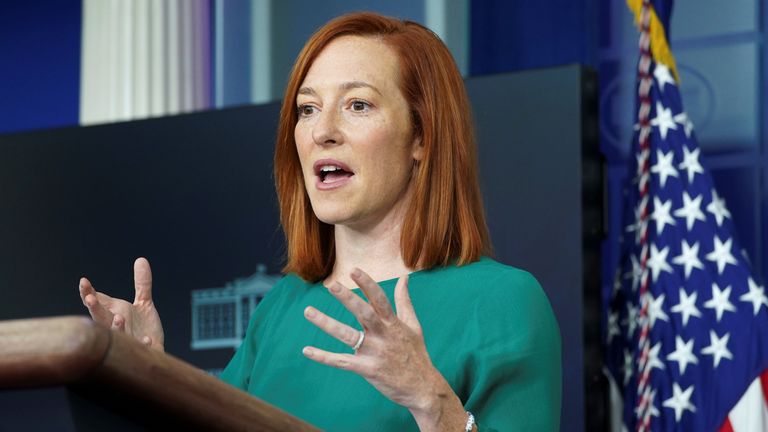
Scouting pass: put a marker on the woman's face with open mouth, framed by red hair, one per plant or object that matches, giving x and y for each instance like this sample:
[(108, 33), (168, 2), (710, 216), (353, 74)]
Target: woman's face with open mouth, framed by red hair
[(354, 135)]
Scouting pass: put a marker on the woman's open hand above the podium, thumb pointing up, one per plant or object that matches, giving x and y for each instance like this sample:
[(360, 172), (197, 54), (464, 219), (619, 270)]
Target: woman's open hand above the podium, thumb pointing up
[(139, 319)]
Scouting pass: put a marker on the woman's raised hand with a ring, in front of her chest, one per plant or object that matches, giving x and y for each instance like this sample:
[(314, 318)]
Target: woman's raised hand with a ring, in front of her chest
[(393, 356)]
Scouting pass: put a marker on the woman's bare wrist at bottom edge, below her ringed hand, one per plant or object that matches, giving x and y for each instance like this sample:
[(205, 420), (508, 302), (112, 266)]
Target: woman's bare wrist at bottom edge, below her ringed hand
[(441, 411)]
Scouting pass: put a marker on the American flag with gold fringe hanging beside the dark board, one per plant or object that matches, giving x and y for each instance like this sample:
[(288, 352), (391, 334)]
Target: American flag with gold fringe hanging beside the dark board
[(687, 327)]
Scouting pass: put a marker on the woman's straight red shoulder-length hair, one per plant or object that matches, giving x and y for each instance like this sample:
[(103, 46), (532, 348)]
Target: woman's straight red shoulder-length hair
[(444, 223)]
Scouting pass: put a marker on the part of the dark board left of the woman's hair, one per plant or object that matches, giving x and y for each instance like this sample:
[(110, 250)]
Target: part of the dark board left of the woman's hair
[(193, 193)]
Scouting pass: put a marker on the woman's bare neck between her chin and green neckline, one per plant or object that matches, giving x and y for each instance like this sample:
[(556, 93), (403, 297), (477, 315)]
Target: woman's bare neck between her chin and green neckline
[(374, 250)]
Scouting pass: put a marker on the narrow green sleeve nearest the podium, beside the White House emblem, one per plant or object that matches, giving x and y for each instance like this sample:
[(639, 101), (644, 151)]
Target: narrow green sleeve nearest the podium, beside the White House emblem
[(238, 370)]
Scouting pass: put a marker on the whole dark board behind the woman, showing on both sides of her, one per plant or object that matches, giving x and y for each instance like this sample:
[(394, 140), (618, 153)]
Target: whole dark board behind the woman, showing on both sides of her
[(194, 194)]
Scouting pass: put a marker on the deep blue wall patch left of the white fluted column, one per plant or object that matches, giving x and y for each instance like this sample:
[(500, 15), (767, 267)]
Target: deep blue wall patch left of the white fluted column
[(39, 64)]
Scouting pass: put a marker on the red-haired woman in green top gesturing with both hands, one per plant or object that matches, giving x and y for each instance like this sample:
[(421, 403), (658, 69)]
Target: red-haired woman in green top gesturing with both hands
[(375, 170)]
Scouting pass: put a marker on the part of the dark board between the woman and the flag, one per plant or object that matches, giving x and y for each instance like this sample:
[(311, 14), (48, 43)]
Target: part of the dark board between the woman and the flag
[(530, 133)]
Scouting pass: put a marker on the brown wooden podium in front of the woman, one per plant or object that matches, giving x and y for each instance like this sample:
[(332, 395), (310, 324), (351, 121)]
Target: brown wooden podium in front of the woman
[(112, 382)]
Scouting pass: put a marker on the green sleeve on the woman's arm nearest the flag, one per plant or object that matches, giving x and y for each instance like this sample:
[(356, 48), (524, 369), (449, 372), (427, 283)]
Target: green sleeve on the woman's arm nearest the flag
[(514, 370)]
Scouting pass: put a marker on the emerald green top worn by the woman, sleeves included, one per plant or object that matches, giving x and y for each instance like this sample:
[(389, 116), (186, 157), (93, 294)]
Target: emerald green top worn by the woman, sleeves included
[(489, 329)]
